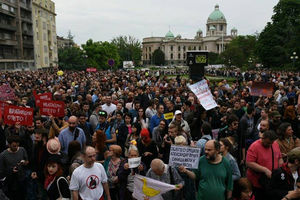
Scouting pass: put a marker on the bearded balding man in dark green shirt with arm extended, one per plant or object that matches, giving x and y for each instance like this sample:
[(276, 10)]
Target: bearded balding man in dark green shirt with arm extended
[(214, 173)]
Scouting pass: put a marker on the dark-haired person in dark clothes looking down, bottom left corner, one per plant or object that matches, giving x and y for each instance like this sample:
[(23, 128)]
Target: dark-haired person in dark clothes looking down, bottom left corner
[(12, 163)]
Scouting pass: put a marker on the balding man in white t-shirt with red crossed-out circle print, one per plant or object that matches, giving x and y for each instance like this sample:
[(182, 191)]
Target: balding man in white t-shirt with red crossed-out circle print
[(89, 180)]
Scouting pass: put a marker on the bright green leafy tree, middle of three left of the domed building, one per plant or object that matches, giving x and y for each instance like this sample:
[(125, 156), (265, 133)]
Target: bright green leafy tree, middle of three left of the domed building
[(98, 54)]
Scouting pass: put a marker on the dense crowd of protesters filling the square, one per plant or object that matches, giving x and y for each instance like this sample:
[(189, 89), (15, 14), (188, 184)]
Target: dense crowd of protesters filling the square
[(249, 144)]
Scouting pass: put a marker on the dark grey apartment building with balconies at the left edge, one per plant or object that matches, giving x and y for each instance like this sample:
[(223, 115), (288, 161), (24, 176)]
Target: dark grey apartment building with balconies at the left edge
[(16, 35)]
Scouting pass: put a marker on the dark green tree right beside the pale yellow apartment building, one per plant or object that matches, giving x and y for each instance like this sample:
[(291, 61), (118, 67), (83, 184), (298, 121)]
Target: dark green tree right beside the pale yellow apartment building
[(71, 58)]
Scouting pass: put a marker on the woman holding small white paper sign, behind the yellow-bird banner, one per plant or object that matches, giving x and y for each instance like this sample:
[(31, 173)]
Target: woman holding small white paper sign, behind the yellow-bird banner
[(126, 174)]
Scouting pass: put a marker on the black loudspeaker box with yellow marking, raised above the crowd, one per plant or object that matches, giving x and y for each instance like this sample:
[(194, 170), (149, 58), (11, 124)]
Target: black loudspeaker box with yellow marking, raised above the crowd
[(197, 60)]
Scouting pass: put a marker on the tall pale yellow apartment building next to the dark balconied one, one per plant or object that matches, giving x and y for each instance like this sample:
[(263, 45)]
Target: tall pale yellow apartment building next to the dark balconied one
[(44, 28)]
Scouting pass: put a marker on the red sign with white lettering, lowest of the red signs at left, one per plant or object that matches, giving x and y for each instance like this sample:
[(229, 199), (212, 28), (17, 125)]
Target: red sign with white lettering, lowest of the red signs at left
[(16, 114)]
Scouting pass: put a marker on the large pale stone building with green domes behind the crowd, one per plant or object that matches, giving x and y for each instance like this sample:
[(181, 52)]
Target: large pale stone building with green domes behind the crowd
[(175, 48)]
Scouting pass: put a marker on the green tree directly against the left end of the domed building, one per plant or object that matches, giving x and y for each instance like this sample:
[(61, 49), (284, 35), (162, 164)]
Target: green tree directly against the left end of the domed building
[(129, 49)]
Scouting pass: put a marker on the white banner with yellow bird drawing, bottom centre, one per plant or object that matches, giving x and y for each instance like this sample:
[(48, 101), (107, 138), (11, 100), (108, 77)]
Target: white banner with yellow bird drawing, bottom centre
[(147, 187)]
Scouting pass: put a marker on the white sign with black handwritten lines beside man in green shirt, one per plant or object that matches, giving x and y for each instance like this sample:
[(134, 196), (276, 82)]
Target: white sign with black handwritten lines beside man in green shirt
[(184, 155)]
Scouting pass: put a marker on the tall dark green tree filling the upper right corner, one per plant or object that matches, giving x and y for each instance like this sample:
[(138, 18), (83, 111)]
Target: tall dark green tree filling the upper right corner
[(281, 37)]
